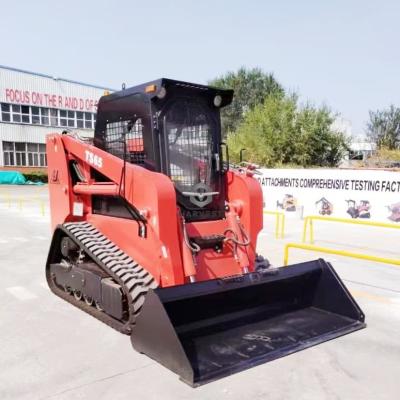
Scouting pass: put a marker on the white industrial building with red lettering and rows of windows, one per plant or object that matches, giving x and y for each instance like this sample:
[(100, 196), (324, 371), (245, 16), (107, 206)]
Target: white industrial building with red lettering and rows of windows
[(33, 105)]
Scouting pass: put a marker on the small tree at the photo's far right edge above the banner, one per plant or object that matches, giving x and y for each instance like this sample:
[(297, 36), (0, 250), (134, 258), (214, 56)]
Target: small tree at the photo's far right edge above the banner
[(383, 128)]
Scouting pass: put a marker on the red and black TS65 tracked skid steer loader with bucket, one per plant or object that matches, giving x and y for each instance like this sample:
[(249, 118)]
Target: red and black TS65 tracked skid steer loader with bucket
[(155, 235)]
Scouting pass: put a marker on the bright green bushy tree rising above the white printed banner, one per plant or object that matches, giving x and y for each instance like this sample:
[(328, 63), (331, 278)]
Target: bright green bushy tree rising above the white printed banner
[(279, 132)]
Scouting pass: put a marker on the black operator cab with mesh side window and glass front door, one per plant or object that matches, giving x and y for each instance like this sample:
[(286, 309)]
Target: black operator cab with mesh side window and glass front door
[(174, 128)]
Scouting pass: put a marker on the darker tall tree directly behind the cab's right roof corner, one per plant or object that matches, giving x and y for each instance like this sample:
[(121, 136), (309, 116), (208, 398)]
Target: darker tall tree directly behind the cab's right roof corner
[(251, 87)]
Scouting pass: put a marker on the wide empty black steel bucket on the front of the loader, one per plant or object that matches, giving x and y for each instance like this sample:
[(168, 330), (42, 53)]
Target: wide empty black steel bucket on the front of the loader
[(204, 331)]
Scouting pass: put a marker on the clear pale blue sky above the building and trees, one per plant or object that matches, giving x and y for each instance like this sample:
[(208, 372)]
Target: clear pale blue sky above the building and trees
[(341, 53)]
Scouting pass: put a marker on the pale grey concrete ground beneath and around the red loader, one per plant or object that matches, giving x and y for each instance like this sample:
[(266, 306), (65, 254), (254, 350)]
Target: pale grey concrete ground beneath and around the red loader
[(50, 350)]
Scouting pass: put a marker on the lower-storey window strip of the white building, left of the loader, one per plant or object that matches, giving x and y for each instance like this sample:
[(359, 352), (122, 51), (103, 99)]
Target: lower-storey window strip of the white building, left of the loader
[(24, 154)]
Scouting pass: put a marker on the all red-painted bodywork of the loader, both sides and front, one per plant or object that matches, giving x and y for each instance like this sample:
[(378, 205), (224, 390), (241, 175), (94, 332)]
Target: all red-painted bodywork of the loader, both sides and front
[(163, 251)]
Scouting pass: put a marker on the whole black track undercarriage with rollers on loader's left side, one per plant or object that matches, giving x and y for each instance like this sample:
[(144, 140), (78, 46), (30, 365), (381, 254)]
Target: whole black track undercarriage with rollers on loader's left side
[(92, 273)]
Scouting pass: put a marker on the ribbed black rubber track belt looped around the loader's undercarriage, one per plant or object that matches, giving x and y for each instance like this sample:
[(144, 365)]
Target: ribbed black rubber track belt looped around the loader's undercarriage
[(134, 280)]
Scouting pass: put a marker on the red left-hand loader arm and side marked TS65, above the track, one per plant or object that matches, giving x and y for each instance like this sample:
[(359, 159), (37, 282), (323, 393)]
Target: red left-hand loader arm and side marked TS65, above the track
[(151, 194)]
